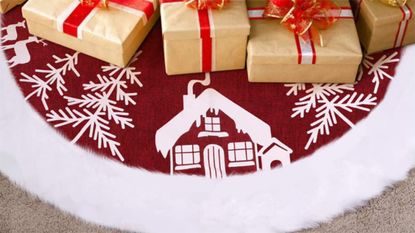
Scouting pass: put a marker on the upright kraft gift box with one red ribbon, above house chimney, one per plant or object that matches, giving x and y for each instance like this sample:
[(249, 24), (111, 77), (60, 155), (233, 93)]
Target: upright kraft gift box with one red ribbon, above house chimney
[(204, 40)]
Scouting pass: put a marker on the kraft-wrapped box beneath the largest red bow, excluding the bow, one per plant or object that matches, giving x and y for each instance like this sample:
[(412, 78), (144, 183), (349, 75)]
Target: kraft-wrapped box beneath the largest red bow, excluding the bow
[(276, 54)]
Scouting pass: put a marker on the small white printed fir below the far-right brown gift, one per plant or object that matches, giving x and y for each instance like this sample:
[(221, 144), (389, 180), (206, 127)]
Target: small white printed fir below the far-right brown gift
[(378, 69)]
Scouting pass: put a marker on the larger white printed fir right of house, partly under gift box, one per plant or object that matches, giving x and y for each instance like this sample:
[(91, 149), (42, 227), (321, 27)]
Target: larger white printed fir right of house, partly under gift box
[(328, 104)]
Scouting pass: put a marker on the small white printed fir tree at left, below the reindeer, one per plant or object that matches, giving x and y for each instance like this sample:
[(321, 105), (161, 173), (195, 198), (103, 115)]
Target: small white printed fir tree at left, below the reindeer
[(53, 78)]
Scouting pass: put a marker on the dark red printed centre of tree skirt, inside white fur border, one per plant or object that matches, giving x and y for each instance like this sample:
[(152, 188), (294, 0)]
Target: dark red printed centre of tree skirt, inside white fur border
[(141, 117)]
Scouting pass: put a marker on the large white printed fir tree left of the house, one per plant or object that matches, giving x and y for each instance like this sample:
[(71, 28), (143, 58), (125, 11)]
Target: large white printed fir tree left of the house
[(99, 107)]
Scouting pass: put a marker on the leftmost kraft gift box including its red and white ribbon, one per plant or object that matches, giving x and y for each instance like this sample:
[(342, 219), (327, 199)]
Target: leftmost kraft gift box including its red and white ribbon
[(112, 34)]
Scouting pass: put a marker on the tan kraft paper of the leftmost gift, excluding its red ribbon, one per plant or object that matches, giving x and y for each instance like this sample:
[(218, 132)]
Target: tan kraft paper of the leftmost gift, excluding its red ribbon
[(111, 35)]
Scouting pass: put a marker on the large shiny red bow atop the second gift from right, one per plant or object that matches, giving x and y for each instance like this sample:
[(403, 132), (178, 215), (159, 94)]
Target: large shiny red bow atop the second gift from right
[(303, 16)]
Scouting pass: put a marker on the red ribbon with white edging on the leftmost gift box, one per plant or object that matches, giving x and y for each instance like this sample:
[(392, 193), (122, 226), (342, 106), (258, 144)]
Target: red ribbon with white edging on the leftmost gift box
[(82, 11)]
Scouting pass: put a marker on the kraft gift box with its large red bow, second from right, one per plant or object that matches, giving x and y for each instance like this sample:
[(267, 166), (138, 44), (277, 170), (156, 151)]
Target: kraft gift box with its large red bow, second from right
[(286, 50)]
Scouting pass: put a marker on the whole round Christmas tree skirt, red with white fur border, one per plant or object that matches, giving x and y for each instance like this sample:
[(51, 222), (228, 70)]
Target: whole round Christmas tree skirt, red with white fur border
[(137, 150)]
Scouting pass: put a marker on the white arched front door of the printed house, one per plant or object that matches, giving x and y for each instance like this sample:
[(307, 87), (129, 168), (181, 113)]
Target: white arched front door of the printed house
[(214, 160)]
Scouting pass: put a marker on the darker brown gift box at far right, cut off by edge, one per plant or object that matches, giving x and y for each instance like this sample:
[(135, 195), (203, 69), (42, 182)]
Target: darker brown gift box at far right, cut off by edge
[(382, 26)]
